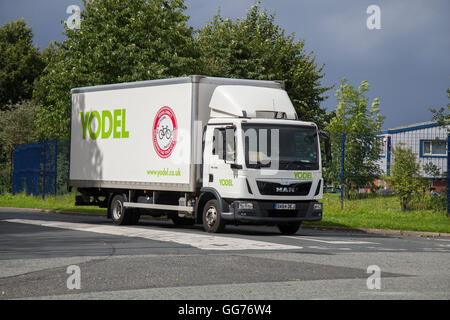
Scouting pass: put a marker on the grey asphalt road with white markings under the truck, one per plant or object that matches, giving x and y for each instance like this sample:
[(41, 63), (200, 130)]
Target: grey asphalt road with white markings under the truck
[(156, 260)]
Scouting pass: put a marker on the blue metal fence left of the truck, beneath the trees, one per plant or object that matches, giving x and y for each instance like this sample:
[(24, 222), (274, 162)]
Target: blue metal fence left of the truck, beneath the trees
[(40, 168)]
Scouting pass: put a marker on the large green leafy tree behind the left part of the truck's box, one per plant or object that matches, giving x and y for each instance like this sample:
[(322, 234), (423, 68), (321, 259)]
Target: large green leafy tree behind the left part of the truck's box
[(119, 41)]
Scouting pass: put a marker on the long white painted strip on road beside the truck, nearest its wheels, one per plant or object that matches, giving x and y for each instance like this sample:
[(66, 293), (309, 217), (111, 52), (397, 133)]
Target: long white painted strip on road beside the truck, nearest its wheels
[(201, 241)]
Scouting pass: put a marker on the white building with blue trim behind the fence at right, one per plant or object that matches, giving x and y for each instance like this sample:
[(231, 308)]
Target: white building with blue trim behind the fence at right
[(427, 140)]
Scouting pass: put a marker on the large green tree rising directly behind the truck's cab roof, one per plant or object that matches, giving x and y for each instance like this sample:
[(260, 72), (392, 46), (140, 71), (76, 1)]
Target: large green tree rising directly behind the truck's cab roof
[(256, 48)]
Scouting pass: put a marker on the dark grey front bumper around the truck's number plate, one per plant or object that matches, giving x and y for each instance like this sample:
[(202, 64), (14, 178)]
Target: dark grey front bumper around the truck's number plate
[(265, 212)]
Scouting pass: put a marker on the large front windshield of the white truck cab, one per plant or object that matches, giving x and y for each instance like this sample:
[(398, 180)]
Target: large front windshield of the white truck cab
[(280, 147)]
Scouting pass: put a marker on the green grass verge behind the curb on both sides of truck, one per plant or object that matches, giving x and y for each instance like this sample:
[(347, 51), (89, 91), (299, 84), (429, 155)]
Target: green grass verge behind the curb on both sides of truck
[(376, 213)]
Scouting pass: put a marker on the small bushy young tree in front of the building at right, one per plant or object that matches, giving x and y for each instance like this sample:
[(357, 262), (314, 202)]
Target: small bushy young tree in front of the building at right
[(405, 175)]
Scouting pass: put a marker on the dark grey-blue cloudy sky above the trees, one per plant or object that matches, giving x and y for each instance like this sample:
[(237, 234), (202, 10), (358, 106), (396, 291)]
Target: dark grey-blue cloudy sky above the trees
[(406, 61)]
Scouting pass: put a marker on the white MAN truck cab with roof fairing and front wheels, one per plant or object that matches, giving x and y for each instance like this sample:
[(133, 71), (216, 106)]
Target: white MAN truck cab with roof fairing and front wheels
[(262, 163)]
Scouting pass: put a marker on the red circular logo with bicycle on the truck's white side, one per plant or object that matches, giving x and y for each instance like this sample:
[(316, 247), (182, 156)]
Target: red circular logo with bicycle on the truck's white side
[(165, 132)]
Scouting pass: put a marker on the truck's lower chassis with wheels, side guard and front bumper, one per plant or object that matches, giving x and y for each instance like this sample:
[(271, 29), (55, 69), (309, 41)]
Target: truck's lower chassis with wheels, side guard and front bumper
[(125, 206)]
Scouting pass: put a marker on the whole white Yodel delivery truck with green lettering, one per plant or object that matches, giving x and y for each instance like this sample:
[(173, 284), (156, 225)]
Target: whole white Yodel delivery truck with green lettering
[(198, 149)]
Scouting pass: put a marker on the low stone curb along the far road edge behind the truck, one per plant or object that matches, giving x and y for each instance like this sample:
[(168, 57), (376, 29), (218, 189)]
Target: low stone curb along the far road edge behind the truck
[(387, 232)]
